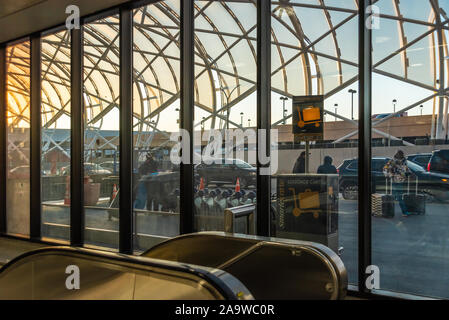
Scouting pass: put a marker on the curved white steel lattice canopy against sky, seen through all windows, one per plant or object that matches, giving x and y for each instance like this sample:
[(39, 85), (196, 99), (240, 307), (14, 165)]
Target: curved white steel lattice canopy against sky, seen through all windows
[(314, 51)]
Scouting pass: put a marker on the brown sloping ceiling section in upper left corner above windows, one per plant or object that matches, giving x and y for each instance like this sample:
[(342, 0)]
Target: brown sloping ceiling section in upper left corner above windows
[(20, 18)]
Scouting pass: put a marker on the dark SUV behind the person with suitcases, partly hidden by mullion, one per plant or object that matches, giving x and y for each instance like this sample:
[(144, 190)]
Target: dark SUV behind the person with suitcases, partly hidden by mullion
[(433, 184)]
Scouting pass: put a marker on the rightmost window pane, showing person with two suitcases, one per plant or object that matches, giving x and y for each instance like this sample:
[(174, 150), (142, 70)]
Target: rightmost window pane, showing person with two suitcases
[(410, 148)]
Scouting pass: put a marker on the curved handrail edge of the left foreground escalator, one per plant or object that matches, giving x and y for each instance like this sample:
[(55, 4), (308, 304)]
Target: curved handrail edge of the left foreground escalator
[(213, 276)]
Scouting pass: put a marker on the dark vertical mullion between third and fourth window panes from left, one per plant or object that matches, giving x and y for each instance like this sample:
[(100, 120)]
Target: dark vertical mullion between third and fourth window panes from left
[(126, 131)]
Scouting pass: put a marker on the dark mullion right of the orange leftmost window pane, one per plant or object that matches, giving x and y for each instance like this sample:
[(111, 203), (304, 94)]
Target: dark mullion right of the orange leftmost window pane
[(35, 139)]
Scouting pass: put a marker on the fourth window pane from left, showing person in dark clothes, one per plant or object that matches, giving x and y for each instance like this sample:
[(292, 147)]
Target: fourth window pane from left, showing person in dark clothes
[(155, 117)]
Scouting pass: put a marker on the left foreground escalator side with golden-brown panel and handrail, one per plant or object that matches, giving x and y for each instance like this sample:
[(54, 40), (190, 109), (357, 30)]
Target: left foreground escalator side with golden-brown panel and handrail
[(42, 275)]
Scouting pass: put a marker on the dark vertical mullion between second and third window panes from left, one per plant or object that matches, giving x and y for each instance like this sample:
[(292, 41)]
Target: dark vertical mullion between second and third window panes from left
[(76, 140)]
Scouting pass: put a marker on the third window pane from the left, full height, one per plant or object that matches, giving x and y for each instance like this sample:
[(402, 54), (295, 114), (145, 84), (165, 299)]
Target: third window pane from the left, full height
[(101, 132)]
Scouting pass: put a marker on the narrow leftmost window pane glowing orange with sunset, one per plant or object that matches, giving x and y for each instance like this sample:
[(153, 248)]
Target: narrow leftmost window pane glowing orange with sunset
[(18, 139)]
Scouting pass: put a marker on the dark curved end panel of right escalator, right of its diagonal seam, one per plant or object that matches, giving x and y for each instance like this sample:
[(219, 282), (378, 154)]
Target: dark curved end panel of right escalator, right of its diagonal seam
[(290, 274)]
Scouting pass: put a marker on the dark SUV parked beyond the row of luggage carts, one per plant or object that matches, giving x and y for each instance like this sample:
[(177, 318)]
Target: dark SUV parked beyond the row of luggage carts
[(227, 172)]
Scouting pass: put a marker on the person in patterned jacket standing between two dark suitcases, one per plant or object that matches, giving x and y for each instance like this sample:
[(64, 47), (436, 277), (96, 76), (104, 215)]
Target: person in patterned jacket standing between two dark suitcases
[(397, 170)]
